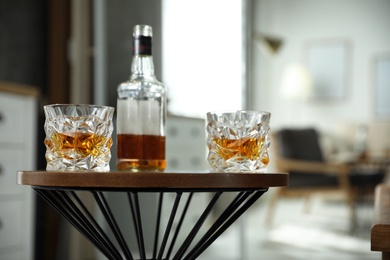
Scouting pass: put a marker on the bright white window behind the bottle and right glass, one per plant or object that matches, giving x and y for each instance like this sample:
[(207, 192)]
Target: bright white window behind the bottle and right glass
[(202, 55)]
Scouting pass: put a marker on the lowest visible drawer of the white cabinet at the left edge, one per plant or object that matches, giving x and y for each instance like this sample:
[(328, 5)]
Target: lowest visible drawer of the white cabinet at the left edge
[(10, 223)]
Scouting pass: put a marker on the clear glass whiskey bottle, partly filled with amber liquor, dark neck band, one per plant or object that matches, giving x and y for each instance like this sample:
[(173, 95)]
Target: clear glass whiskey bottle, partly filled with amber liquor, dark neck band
[(141, 111)]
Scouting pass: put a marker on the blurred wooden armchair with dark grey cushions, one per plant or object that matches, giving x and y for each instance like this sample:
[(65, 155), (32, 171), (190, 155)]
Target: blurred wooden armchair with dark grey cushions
[(298, 152)]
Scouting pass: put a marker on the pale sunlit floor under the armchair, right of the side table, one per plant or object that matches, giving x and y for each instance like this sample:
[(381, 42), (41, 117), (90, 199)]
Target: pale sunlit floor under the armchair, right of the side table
[(324, 233)]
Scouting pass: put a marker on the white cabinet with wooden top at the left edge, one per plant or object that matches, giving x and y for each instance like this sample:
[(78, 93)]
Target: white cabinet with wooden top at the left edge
[(18, 123)]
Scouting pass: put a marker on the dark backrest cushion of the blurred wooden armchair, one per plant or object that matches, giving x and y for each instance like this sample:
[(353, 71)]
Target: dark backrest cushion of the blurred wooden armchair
[(301, 144)]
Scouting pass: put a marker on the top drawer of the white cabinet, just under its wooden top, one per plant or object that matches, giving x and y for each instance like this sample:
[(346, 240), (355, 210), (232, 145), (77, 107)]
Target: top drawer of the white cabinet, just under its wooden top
[(12, 114)]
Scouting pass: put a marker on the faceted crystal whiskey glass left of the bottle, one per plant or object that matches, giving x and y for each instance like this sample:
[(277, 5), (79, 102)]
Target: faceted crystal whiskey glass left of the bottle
[(78, 137)]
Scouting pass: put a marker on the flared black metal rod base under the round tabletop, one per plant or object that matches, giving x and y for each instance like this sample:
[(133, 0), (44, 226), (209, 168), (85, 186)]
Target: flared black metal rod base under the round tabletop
[(71, 206)]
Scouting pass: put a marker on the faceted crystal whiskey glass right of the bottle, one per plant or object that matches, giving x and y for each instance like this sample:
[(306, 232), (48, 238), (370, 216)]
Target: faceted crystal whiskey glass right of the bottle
[(238, 141)]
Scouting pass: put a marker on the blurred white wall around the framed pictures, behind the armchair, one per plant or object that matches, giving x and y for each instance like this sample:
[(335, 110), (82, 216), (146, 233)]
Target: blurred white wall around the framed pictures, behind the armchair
[(364, 24)]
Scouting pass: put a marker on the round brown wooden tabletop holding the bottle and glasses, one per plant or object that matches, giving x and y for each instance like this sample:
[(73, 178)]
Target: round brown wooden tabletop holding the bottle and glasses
[(149, 180)]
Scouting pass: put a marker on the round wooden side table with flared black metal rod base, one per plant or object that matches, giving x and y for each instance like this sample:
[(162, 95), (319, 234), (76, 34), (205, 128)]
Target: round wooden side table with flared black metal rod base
[(61, 190)]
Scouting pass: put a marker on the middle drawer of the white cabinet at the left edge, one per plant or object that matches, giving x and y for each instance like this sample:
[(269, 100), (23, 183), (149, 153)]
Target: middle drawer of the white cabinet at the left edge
[(10, 162)]
